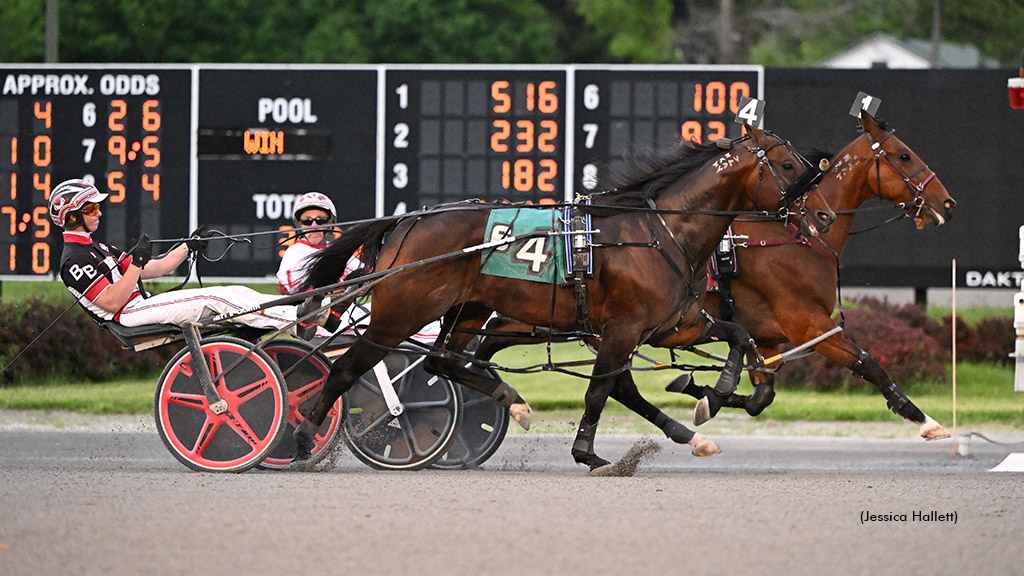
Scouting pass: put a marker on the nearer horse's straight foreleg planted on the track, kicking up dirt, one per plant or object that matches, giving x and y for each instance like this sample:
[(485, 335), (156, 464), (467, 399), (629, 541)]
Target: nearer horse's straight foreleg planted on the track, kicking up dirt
[(613, 358)]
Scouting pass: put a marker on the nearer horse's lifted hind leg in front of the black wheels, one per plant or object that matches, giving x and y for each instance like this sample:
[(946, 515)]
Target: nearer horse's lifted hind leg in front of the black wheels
[(473, 317)]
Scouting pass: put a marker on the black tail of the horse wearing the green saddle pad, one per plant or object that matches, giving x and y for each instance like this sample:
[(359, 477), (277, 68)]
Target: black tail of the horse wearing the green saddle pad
[(326, 267)]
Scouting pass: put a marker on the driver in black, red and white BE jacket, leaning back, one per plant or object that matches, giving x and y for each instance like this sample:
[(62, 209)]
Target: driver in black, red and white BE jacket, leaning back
[(107, 281)]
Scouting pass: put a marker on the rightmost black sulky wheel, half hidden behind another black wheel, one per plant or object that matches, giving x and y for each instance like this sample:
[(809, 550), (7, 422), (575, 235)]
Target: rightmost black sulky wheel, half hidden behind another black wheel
[(481, 432)]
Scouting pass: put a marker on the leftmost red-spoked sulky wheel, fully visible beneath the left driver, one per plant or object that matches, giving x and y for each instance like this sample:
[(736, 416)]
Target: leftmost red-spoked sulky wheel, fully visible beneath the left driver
[(247, 432)]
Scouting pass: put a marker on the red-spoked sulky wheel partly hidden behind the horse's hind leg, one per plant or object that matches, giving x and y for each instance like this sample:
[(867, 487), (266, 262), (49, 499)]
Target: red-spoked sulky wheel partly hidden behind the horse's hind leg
[(305, 376)]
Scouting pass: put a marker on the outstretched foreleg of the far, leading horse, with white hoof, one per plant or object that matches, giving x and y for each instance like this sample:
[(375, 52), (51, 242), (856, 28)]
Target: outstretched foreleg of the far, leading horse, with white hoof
[(843, 351)]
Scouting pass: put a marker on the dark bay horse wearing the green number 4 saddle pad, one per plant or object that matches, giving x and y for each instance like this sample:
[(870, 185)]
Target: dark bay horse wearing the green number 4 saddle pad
[(656, 232)]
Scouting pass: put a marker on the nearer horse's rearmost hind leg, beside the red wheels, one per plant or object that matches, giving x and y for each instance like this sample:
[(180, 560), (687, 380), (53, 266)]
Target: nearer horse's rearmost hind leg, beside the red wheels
[(357, 361)]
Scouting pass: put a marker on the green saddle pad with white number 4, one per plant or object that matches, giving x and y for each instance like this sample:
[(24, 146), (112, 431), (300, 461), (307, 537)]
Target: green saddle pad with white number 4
[(538, 258)]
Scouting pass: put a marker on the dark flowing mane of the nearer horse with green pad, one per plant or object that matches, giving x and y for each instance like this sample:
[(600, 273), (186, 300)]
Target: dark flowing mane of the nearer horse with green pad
[(638, 177)]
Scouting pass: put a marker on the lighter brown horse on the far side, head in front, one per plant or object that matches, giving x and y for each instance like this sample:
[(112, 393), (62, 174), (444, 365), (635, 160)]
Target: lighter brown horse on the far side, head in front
[(787, 291)]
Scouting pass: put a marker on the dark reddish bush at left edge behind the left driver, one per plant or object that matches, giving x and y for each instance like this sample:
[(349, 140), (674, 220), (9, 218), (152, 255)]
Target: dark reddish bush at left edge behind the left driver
[(74, 347)]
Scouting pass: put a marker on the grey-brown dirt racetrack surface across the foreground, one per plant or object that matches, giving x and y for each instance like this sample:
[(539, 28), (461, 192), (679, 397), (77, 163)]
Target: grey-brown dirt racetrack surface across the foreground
[(116, 503)]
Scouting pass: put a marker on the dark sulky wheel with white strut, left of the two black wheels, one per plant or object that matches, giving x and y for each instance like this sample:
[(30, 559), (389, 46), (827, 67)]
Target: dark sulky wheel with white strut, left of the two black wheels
[(417, 437)]
